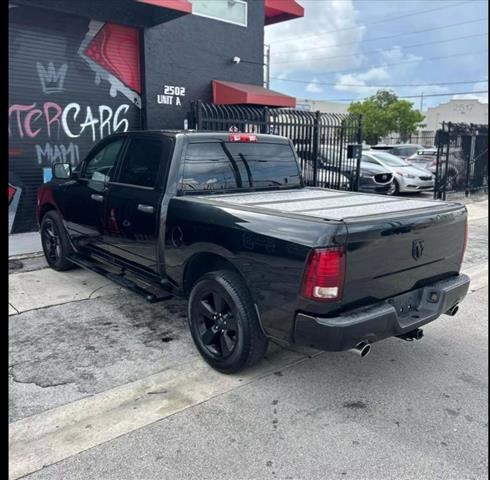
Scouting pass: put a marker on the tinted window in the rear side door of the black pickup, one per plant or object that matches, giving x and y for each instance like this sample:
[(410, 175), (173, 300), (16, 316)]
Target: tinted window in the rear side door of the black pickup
[(142, 161)]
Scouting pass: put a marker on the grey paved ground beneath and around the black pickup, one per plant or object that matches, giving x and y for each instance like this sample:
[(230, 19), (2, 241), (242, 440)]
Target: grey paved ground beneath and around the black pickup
[(104, 385)]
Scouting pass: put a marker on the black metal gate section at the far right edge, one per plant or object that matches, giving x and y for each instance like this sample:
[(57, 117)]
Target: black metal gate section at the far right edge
[(462, 159)]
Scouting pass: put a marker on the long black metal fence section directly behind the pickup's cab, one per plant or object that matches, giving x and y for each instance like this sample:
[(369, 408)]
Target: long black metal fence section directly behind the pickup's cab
[(324, 141)]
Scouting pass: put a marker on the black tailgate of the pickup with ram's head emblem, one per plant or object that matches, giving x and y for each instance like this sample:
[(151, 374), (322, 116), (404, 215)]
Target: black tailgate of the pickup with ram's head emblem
[(394, 255)]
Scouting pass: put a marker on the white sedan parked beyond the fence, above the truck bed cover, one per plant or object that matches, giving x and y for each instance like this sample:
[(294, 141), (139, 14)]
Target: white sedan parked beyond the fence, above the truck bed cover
[(407, 178)]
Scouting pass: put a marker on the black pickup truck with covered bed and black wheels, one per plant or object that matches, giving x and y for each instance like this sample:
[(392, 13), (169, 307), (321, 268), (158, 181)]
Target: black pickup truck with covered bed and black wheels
[(225, 221)]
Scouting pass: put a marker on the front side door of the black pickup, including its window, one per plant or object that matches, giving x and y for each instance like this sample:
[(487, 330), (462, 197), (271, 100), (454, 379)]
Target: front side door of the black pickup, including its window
[(84, 198)]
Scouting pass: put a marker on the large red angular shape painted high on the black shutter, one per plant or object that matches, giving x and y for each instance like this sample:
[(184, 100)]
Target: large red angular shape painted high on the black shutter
[(116, 48)]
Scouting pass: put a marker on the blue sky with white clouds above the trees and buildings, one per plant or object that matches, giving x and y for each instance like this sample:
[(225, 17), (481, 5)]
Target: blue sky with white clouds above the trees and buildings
[(335, 51)]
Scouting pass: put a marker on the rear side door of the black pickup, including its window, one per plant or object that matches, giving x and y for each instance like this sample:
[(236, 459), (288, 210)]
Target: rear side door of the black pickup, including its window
[(133, 201)]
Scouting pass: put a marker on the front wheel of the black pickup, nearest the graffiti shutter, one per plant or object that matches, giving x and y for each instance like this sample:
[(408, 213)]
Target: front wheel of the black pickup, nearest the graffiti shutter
[(55, 242)]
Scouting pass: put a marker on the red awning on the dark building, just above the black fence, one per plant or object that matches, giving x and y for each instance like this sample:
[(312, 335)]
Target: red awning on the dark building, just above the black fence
[(231, 93)]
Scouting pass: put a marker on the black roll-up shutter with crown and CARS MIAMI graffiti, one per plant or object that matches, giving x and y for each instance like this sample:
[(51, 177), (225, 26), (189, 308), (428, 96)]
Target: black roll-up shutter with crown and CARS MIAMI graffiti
[(72, 81)]
